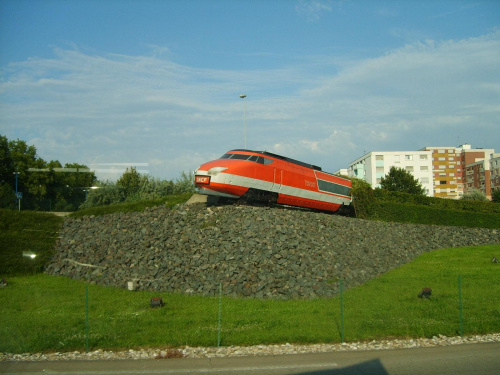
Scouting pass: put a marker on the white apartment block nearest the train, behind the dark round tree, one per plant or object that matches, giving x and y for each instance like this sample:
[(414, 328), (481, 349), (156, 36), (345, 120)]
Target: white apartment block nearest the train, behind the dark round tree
[(373, 166)]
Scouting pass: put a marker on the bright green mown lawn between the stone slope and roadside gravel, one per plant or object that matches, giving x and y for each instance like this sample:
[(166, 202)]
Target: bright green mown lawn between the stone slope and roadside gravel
[(47, 313)]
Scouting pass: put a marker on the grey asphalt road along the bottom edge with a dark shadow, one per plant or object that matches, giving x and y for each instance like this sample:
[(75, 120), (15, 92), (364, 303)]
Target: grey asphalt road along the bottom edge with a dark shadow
[(468, 359)]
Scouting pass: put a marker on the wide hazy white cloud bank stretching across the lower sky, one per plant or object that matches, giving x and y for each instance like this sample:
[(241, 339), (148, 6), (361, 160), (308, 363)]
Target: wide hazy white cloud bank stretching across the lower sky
[(98, 108)]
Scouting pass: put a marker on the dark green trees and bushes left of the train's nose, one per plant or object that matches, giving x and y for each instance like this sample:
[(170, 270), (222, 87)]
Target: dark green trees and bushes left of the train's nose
[(50, 186)]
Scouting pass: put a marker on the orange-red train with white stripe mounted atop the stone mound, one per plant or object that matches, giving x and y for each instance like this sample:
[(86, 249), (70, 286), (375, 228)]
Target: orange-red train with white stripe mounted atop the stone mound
[(264, 176)]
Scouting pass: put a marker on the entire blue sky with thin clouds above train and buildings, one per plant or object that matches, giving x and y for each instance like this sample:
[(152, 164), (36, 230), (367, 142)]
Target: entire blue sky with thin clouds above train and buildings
[(156, 84)]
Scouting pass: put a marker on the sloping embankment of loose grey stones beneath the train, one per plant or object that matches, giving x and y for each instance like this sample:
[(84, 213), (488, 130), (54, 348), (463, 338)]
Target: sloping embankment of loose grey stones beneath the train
[(257, 252)]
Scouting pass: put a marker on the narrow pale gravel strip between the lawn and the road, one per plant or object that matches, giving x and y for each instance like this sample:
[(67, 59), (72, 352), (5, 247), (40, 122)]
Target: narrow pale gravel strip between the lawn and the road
[(257, 350)]
